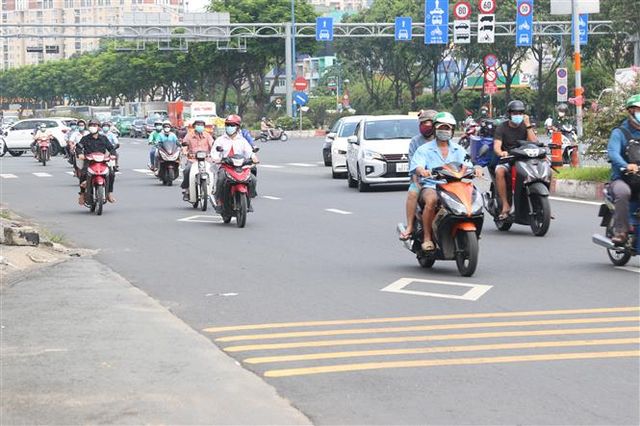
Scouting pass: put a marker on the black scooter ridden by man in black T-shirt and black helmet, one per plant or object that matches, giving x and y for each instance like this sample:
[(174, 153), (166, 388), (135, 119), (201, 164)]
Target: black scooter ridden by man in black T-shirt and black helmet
[(527, 189)]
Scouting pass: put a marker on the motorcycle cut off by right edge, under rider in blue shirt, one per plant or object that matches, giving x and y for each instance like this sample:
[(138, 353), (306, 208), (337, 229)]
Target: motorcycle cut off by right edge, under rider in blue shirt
[(619, 255)]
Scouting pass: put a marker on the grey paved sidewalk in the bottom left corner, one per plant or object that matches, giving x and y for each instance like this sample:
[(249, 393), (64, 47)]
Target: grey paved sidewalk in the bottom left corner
[(80, 345)]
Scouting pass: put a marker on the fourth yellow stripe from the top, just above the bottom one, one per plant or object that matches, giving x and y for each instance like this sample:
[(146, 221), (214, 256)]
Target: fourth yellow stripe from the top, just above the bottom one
[(440, 349)]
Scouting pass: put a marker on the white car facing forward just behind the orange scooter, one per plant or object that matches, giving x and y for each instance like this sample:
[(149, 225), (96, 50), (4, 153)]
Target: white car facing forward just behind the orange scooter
[(378, 152)]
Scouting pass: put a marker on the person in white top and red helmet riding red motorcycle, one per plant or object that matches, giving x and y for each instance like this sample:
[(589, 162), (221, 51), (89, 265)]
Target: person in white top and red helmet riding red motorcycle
[(232, 143)]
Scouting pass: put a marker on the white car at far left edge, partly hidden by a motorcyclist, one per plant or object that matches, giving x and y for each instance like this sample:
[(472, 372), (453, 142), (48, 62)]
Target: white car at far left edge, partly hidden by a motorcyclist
[(19, 135)]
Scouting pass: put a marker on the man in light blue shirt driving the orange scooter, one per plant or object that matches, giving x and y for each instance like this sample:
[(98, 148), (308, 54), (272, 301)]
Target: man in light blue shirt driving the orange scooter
[(430, 155)]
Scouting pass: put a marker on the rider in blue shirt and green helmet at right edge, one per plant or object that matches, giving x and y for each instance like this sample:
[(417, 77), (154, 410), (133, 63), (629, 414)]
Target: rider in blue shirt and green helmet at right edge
[(616, 149)]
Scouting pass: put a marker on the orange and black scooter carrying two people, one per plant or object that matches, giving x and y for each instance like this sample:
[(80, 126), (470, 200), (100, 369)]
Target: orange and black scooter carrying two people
[(457, 223)]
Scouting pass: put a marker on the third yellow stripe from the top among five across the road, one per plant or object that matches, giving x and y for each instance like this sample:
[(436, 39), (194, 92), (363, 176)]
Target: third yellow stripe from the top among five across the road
[(458, 336)]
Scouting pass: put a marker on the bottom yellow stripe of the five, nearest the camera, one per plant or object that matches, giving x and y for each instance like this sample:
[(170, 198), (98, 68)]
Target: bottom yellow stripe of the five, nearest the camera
[(442, 362)]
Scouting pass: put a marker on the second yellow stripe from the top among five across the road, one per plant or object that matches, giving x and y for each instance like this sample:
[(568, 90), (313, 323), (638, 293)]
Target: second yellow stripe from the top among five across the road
[(457, 326)]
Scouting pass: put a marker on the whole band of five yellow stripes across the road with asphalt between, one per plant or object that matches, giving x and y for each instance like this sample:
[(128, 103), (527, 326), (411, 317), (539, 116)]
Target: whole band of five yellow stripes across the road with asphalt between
[(341, 346)]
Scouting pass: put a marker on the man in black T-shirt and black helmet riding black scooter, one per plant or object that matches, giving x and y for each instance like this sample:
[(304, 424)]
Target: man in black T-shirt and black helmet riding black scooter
[(507, 134)]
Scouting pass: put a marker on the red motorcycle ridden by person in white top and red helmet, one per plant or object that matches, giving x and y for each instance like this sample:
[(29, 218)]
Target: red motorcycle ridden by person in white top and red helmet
[(235, 199)]
